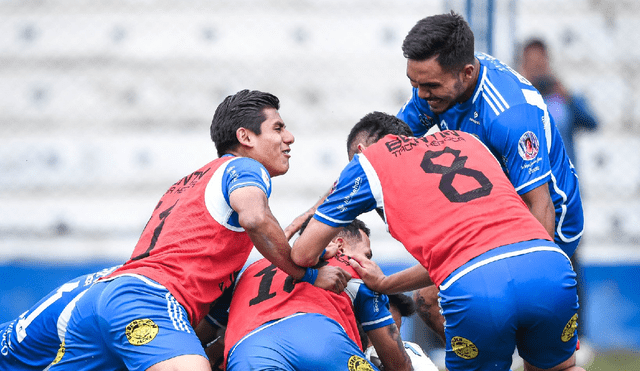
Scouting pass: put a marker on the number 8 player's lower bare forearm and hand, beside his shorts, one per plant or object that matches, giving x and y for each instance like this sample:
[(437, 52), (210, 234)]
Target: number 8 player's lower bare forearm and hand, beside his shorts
[(407, 280)]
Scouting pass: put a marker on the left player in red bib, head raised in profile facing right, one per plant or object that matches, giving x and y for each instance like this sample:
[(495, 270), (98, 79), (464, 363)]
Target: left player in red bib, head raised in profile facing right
[(142, 316)]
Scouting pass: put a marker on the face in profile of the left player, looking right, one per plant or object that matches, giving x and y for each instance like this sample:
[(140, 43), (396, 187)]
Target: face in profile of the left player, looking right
[(273, 144)]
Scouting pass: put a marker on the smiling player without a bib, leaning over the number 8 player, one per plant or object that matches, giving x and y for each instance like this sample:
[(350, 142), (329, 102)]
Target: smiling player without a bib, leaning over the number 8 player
[(454, 88)]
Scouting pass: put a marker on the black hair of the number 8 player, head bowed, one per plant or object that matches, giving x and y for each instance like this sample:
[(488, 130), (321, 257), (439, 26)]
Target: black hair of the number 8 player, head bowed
[(374, 126)]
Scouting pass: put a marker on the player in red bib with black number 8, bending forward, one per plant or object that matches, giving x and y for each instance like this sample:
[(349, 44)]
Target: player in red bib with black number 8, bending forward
[(503, 282)]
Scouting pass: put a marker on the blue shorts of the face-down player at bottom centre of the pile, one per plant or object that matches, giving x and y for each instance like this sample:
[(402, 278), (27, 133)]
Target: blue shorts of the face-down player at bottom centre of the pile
[(300, 342)]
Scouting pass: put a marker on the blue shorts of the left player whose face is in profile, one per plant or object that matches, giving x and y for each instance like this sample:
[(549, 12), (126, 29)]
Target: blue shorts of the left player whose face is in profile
[(127, 323)]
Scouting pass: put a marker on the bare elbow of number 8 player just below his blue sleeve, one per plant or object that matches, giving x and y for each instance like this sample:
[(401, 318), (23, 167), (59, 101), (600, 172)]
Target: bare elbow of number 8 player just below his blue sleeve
[(308, 247)]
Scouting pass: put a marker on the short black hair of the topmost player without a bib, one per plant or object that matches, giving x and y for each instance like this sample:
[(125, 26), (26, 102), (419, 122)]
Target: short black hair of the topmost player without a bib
[(447, 36)]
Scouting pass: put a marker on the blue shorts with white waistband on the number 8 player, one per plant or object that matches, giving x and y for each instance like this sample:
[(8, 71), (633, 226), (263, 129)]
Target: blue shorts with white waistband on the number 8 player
[(520, 295)]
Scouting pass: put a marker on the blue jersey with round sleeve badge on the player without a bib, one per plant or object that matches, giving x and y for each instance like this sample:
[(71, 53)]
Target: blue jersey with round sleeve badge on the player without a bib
[(510, 117)]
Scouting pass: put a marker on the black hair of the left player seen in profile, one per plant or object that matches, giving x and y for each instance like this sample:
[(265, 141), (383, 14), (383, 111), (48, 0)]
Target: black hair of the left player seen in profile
[(244, 109)]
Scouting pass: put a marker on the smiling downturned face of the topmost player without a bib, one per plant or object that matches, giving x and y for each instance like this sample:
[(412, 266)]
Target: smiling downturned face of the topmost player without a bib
[(441, 89)]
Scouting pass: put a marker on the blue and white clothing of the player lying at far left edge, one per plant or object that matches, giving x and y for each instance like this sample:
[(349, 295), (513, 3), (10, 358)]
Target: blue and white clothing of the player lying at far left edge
[(31, 341)]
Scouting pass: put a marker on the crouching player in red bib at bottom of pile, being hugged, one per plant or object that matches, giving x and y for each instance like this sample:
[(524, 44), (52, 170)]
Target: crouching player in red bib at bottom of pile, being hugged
[(277, 323)]
